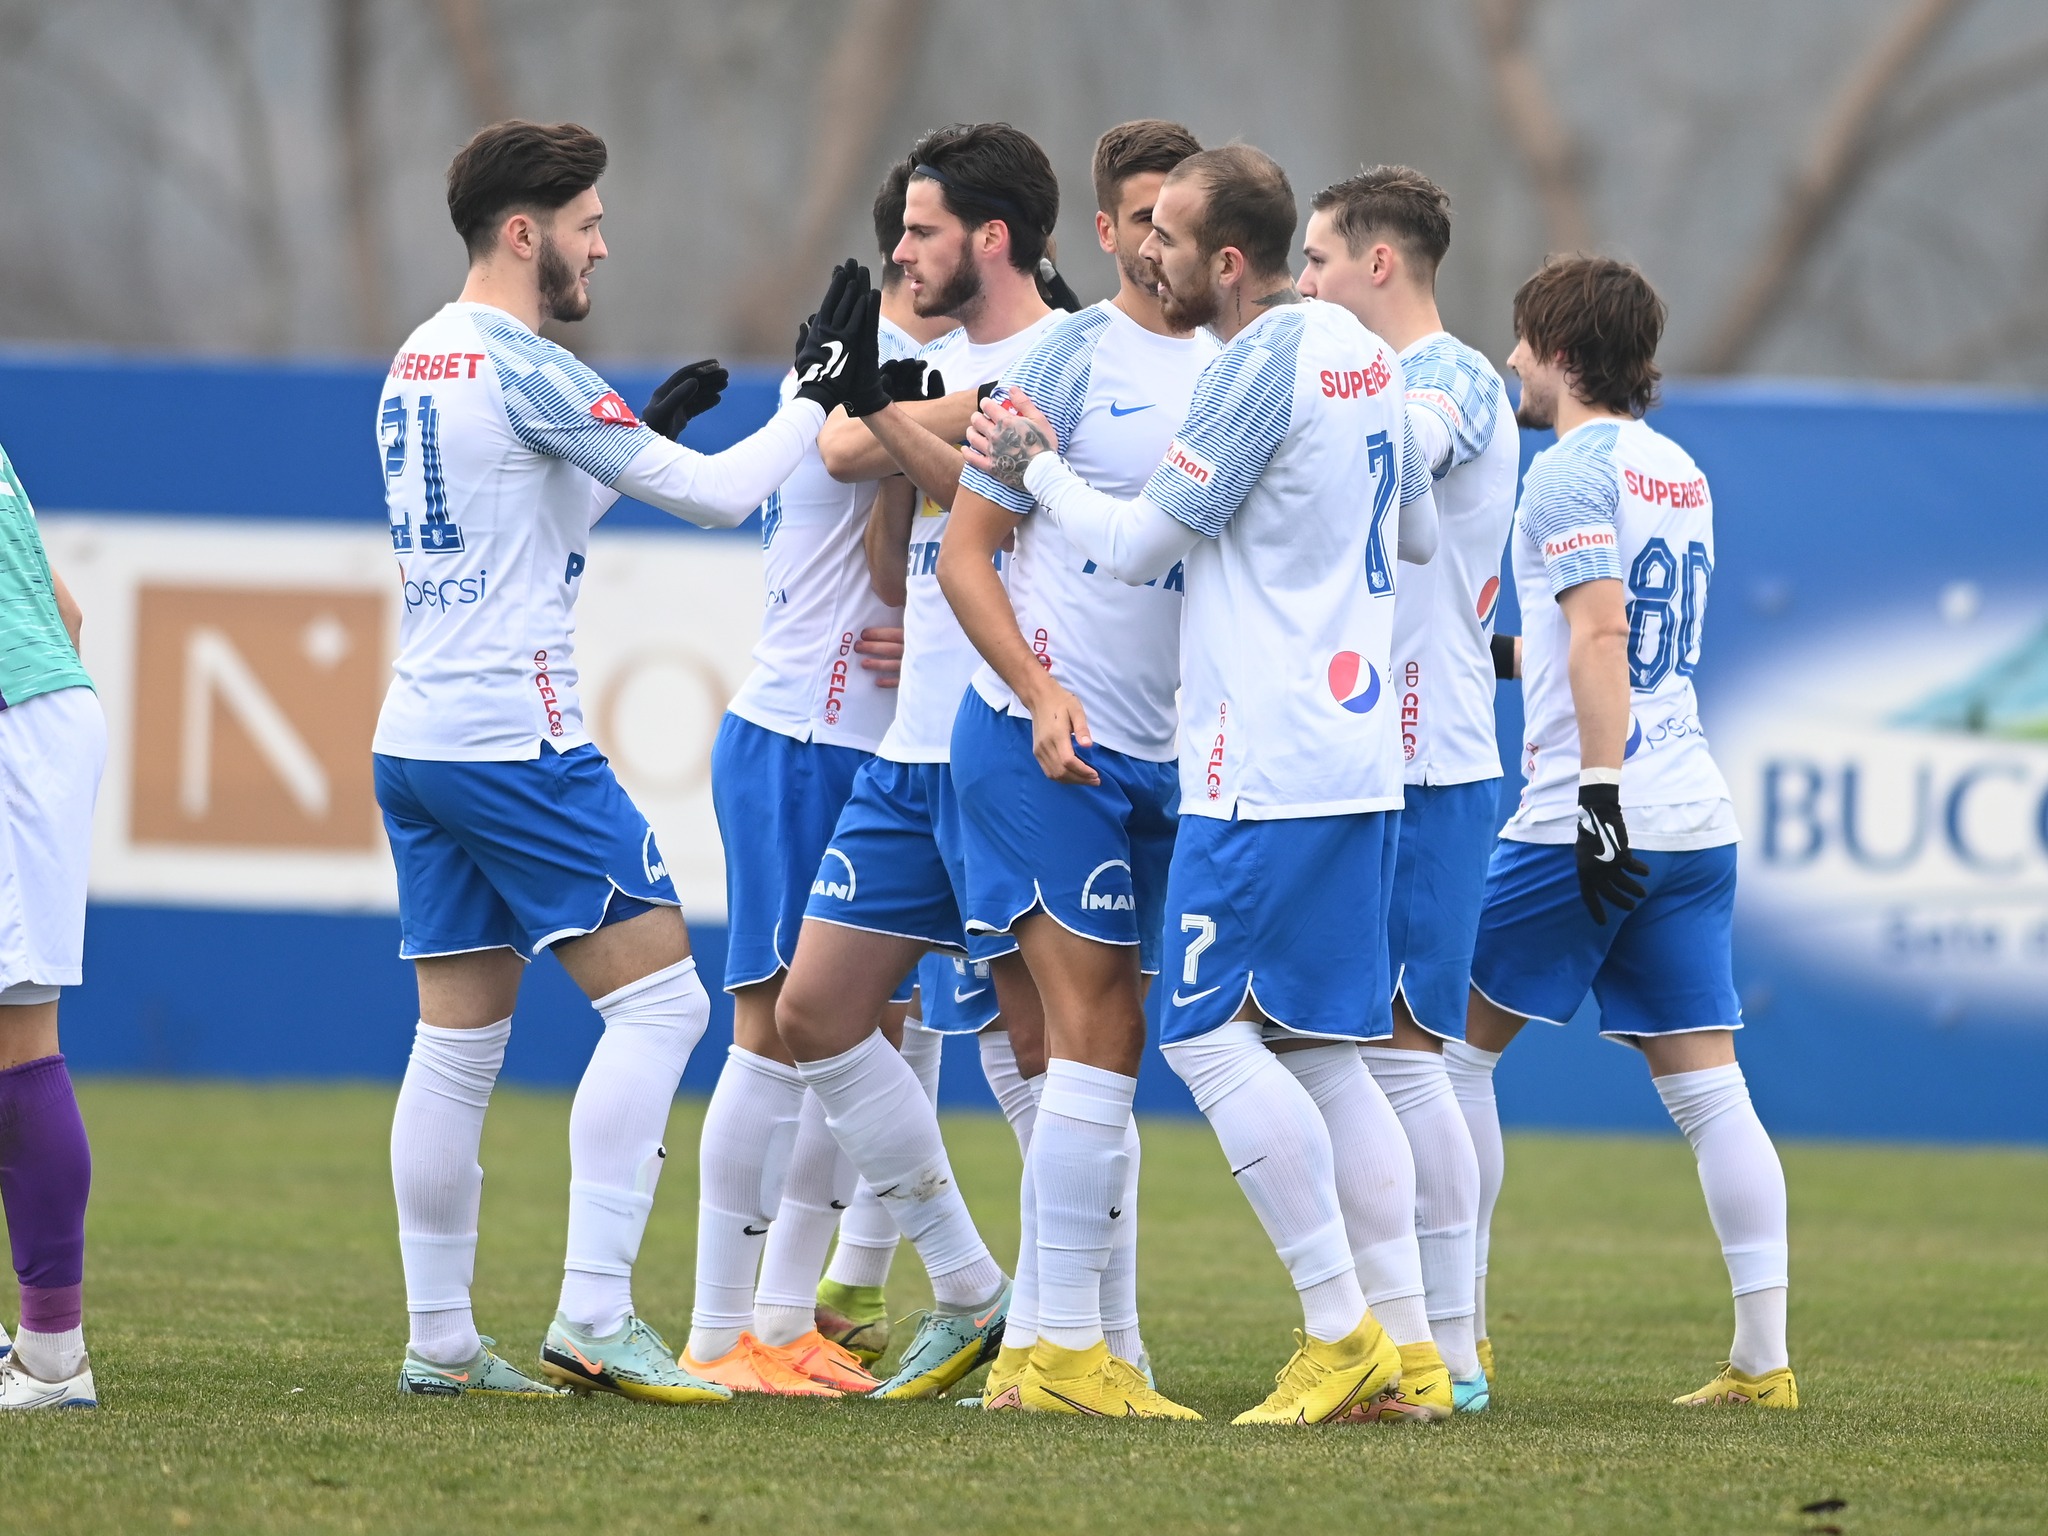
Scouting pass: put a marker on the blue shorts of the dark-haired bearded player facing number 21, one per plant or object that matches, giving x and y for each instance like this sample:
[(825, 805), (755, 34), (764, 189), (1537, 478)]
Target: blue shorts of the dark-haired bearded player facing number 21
[(894, 863)]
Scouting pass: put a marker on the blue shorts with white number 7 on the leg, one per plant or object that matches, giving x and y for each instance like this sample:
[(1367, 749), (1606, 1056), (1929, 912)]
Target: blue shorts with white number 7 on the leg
[(1291, 914)]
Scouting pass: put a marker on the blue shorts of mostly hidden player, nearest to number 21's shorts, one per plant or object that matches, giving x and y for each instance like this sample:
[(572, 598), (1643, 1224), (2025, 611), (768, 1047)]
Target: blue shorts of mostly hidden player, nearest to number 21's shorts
[(777, 802)]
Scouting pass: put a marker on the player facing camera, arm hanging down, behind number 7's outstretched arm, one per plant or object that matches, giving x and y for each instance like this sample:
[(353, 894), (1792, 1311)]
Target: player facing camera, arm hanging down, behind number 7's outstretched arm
[(1064, 763)]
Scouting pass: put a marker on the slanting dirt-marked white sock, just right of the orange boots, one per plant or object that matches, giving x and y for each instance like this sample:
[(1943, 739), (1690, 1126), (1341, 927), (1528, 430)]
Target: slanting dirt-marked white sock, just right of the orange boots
[(890, 1129)]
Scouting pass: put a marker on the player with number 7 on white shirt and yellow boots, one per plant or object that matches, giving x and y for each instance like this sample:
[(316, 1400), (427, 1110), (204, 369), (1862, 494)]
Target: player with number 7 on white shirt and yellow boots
[(1289, 490)]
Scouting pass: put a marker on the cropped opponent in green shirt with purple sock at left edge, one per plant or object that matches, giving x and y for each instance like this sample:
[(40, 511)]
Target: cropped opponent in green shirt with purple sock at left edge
[(52, 753)]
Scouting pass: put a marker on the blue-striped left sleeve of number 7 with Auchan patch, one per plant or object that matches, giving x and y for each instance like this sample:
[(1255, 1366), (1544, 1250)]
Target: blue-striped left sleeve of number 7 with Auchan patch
[(1242, 411)]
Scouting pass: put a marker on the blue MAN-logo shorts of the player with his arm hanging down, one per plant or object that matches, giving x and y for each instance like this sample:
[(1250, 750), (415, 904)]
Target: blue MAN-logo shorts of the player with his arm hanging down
[(1095, 857)]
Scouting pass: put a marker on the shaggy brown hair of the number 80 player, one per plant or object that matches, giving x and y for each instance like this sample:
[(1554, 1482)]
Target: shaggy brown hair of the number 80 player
[(1605, 318)]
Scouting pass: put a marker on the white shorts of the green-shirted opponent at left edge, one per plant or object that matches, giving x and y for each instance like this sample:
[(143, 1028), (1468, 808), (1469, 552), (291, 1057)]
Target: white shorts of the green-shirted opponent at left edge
[(52, 753)]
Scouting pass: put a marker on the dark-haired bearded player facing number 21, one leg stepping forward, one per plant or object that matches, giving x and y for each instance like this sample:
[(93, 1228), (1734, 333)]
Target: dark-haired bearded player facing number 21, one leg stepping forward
[(976, 222)]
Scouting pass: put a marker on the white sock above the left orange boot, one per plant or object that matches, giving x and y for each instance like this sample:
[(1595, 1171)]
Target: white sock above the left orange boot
[(751, 1132)]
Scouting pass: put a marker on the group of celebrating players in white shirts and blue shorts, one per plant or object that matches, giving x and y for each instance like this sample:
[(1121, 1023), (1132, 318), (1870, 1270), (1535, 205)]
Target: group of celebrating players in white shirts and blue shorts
[(1117, 650)]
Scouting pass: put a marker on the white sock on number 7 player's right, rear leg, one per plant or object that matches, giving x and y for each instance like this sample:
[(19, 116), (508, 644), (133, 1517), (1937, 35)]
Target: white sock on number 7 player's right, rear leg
[(1375, 1185)]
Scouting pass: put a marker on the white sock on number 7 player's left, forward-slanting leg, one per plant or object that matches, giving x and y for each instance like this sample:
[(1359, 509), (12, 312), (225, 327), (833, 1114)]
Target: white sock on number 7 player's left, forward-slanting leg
[(1281, 1158)]
